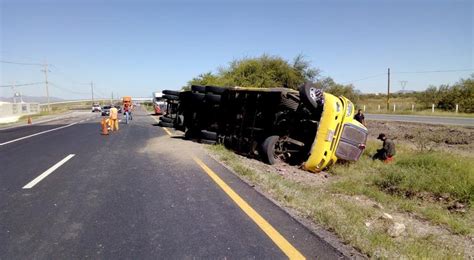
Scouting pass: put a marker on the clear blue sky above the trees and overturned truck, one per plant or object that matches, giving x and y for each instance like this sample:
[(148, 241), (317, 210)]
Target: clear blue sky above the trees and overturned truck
[(137, 47)]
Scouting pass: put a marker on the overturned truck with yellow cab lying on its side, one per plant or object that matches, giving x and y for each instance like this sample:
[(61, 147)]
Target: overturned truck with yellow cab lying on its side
[(309, 128)]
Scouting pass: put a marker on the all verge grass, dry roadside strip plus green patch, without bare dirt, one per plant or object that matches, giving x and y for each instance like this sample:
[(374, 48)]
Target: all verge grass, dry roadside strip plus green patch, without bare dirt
[(334, 205)]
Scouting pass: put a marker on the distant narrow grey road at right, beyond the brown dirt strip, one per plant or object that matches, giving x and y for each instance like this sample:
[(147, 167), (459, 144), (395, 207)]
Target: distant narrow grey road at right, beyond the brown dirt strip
[(462, 121)]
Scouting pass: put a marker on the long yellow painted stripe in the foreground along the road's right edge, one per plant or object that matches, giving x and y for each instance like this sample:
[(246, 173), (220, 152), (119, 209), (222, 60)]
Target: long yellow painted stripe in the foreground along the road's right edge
[(271, 232)]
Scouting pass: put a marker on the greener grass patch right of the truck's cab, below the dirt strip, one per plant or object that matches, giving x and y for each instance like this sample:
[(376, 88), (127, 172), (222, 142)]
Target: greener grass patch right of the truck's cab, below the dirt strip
[(422, 183)]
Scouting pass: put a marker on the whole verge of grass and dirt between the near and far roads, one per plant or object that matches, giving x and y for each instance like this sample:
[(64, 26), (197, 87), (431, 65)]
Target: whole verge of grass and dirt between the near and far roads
[(420, 206)]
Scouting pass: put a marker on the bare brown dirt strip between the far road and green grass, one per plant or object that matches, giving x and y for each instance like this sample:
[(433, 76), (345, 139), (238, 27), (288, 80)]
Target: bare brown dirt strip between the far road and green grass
[(436, 137)]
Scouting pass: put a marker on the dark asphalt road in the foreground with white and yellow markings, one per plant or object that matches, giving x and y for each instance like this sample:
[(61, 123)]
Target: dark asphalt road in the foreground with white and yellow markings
[(135, 194)]
